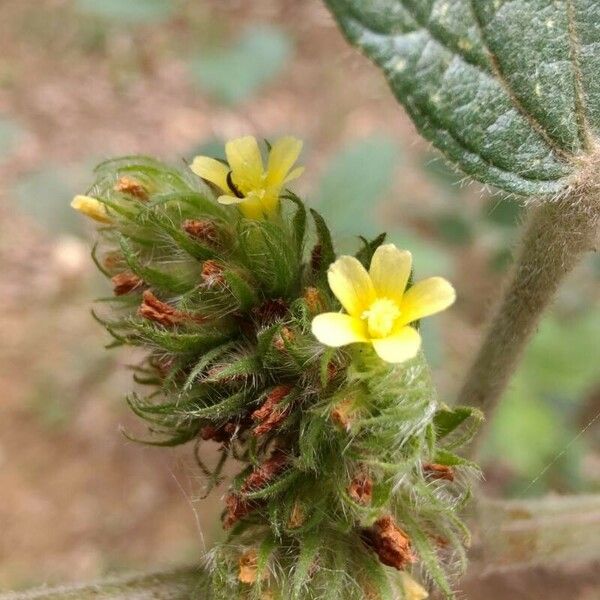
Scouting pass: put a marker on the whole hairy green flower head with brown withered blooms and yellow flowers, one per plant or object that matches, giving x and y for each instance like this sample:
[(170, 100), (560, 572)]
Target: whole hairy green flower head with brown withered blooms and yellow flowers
[(302, 366)]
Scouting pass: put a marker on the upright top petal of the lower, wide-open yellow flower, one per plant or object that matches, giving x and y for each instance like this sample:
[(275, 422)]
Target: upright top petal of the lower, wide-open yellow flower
[(390, 270)]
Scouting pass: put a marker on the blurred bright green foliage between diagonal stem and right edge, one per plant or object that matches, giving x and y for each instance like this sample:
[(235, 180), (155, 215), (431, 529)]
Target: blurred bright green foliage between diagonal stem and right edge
[(537, 424)]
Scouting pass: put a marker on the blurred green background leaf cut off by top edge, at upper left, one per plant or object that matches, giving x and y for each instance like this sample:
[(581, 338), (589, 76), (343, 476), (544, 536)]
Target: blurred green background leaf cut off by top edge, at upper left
[(129, 11)]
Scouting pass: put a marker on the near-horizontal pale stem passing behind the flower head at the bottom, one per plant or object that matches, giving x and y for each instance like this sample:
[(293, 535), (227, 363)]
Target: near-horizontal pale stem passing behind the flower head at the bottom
[(510, 534)]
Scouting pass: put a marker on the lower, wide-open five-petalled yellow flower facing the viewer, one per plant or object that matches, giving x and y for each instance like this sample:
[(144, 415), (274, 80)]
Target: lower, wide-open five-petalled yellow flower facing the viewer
[(379, 307)]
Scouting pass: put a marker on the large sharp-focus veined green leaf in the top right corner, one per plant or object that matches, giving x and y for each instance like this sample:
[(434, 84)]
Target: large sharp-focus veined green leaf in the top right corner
[(507, 89)]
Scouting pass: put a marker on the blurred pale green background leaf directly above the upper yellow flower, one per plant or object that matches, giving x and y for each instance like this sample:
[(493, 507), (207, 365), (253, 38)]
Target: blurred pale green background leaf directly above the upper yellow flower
[(235, 74)]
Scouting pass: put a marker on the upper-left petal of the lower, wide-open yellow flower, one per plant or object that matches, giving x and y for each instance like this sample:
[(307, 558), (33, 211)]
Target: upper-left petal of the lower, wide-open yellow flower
[(351, 285)]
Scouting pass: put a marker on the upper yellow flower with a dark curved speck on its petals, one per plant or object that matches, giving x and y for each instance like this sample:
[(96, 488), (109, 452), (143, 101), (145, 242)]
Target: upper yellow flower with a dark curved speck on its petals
[(244, 180)]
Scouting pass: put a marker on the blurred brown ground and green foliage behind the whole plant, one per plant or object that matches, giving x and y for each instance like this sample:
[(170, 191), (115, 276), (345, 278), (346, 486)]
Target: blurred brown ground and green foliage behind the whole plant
[(82, 80)]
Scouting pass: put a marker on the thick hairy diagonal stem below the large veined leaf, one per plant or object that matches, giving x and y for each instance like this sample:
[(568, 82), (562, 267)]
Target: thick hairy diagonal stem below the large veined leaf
[(557, 235)]
